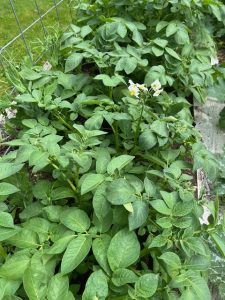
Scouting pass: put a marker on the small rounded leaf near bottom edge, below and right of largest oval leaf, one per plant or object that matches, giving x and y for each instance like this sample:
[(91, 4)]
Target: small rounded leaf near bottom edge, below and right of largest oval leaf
[(146, 285)]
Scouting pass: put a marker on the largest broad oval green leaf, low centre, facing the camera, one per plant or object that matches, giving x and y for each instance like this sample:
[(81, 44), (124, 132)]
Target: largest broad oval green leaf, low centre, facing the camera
[(129, 247)]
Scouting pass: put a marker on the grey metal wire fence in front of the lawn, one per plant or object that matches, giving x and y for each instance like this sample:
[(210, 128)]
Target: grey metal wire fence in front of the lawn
[(54, 7)]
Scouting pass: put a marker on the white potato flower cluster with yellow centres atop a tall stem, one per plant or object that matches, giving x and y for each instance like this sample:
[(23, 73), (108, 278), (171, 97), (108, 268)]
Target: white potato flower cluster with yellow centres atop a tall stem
[(135, 88)]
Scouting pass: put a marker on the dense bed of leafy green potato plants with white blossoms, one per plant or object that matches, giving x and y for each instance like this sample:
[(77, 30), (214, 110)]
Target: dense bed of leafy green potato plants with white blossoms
[(98, 199)]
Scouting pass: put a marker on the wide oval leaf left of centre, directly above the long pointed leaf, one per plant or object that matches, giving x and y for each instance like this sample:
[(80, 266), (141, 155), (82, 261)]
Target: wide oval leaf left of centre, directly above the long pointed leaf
[(75, 219)]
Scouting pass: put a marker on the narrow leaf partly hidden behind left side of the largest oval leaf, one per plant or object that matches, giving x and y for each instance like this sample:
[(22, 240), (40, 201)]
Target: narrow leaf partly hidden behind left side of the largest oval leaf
[(100, 247)]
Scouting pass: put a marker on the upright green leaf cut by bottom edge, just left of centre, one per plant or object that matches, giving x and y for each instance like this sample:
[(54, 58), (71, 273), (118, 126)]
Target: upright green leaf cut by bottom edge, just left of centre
[(96, 286)]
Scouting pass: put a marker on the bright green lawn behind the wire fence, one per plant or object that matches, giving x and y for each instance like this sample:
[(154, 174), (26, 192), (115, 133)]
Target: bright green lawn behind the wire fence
[(27, 14)]
